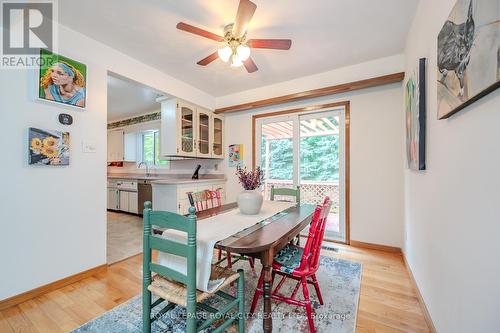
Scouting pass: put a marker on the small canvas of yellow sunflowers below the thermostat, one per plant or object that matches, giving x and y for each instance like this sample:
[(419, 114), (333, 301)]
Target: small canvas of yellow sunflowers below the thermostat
[(48, 147)]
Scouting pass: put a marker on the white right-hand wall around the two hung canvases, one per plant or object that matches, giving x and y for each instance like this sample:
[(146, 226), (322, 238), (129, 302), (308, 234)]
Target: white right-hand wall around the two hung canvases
[(452, 220)]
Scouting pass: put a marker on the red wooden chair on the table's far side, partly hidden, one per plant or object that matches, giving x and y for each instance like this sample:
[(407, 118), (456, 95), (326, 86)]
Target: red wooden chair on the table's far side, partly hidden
[(209, 199)]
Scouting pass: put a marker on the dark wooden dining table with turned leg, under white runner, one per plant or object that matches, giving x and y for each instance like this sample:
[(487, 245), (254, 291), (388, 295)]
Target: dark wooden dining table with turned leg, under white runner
[(263, 240)]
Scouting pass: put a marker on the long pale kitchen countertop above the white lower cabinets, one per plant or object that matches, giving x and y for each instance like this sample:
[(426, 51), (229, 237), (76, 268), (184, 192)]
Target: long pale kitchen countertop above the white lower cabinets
[(168, 179)]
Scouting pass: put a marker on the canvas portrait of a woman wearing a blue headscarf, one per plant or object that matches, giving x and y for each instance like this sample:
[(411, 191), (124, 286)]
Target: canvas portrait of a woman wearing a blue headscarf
[(62, 80)]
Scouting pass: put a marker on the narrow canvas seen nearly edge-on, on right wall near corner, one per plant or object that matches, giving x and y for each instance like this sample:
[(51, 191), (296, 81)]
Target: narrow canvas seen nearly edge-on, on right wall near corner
[(415, 117)]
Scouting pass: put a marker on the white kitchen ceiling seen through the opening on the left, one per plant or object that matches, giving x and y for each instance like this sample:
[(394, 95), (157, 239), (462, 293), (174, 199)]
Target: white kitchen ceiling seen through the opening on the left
[(128, 99)]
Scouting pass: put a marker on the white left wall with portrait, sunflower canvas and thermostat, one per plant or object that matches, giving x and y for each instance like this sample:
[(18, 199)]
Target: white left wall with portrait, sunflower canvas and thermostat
[(53, 219)]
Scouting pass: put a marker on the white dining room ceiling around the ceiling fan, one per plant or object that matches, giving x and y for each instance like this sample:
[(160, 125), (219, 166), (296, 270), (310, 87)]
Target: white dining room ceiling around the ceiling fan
[(326, 34)]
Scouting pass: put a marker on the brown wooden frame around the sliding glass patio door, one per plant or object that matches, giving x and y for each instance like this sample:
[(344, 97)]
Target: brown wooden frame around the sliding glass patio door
[(347, 152)]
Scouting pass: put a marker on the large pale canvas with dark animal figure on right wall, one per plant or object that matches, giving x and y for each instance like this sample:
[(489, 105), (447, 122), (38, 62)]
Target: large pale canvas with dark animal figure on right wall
[(468, 59)]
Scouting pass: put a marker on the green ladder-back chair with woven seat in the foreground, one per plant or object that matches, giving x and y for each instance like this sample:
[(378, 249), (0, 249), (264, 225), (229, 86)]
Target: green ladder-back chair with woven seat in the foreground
[(174, 288)]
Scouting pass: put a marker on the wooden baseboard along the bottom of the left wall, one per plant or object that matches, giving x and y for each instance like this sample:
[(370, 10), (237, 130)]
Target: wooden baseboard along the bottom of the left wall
[(17, 299)]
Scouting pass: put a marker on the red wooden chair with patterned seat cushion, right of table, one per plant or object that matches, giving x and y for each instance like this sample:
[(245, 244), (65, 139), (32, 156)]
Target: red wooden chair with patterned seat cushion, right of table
[(299, 264)]
